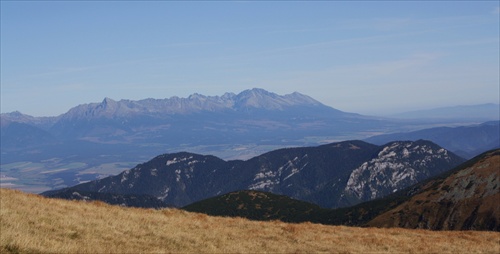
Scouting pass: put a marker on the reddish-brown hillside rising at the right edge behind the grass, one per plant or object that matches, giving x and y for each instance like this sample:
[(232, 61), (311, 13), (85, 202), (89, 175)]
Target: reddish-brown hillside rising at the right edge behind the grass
[(468, 199)]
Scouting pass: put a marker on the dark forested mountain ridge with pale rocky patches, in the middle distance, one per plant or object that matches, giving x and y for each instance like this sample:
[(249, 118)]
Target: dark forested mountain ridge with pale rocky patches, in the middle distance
[(334, 175)]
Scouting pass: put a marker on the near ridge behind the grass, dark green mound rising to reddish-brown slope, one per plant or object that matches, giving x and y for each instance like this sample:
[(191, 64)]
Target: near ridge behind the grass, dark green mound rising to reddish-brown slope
[(465, 198)]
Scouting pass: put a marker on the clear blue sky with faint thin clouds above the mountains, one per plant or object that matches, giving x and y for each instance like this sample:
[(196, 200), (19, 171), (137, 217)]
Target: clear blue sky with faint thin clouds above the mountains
[(366, 57)]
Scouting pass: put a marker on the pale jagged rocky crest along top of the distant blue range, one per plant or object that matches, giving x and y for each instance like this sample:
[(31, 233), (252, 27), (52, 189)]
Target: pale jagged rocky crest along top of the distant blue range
[(257, 98)]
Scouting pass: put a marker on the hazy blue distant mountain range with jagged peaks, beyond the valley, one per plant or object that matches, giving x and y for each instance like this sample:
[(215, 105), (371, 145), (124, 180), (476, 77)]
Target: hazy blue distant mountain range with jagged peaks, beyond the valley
[(251, 116)]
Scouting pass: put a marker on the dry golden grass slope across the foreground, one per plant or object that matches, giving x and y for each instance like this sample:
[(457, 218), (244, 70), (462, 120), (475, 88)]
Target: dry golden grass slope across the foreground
[(33, 224)]
